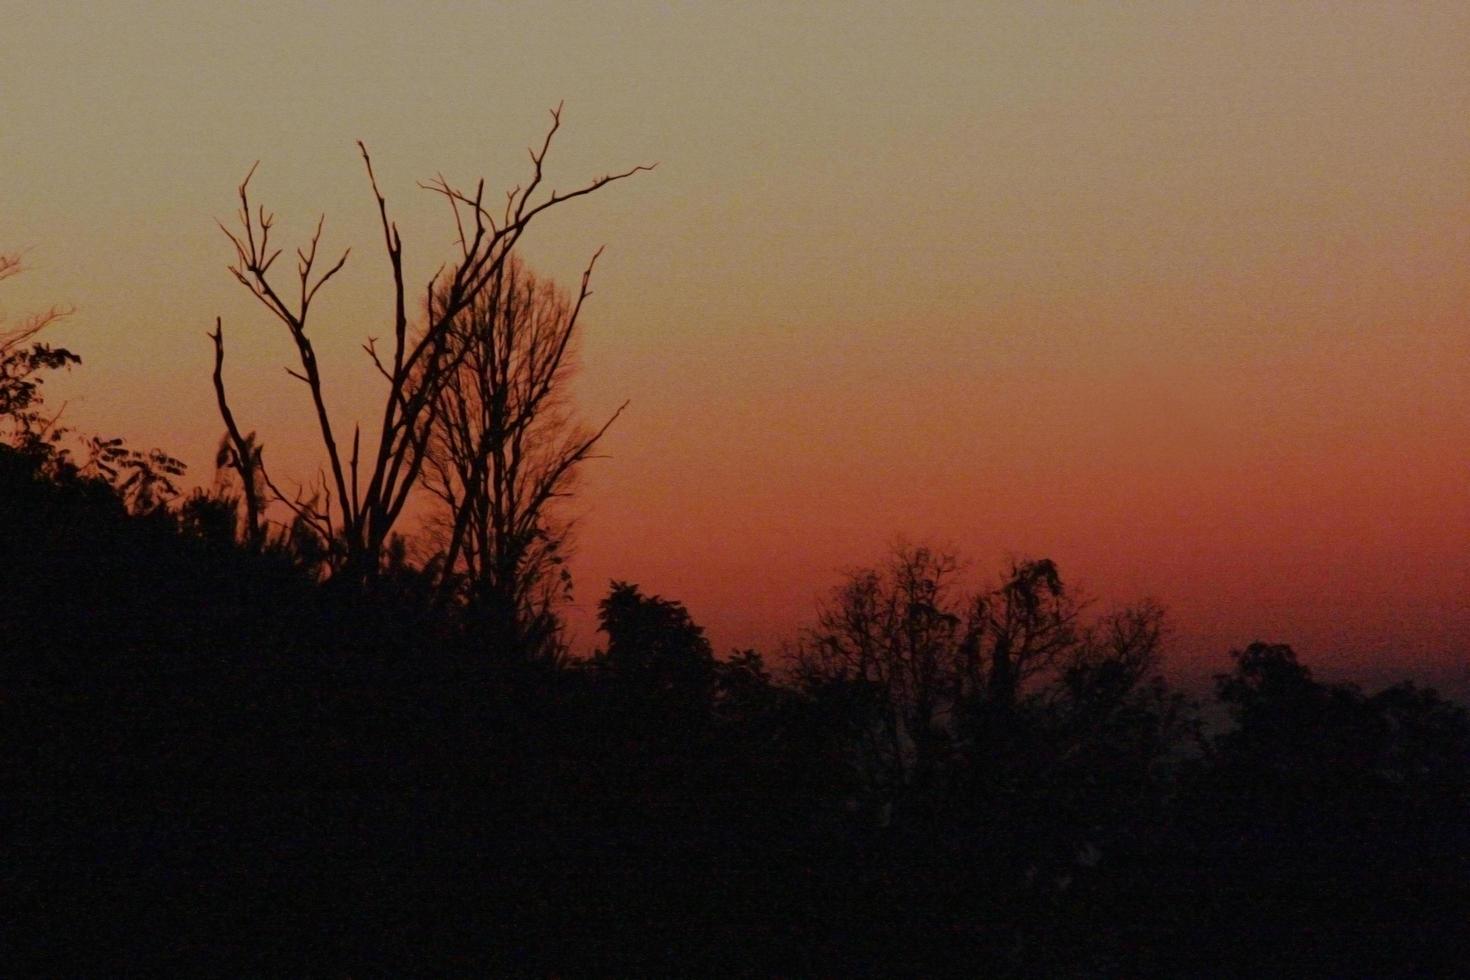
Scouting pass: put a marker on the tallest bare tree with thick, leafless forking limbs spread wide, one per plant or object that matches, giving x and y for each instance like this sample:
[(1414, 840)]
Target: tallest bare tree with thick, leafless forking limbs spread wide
[(365, 494)]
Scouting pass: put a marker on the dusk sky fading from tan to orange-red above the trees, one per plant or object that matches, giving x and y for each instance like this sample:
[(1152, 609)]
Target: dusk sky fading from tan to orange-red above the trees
[(1177, 295)]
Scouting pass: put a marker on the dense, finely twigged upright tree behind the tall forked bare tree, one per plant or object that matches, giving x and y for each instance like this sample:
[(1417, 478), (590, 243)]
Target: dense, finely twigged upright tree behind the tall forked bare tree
[(505, 447)]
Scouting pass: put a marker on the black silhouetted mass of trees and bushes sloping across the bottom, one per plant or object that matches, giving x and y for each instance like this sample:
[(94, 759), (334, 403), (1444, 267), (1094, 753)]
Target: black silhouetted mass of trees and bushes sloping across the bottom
[(220, 760)]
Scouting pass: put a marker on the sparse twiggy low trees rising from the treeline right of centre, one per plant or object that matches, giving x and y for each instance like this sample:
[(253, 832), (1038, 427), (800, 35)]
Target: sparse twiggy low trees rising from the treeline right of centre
[(940, 672)]
